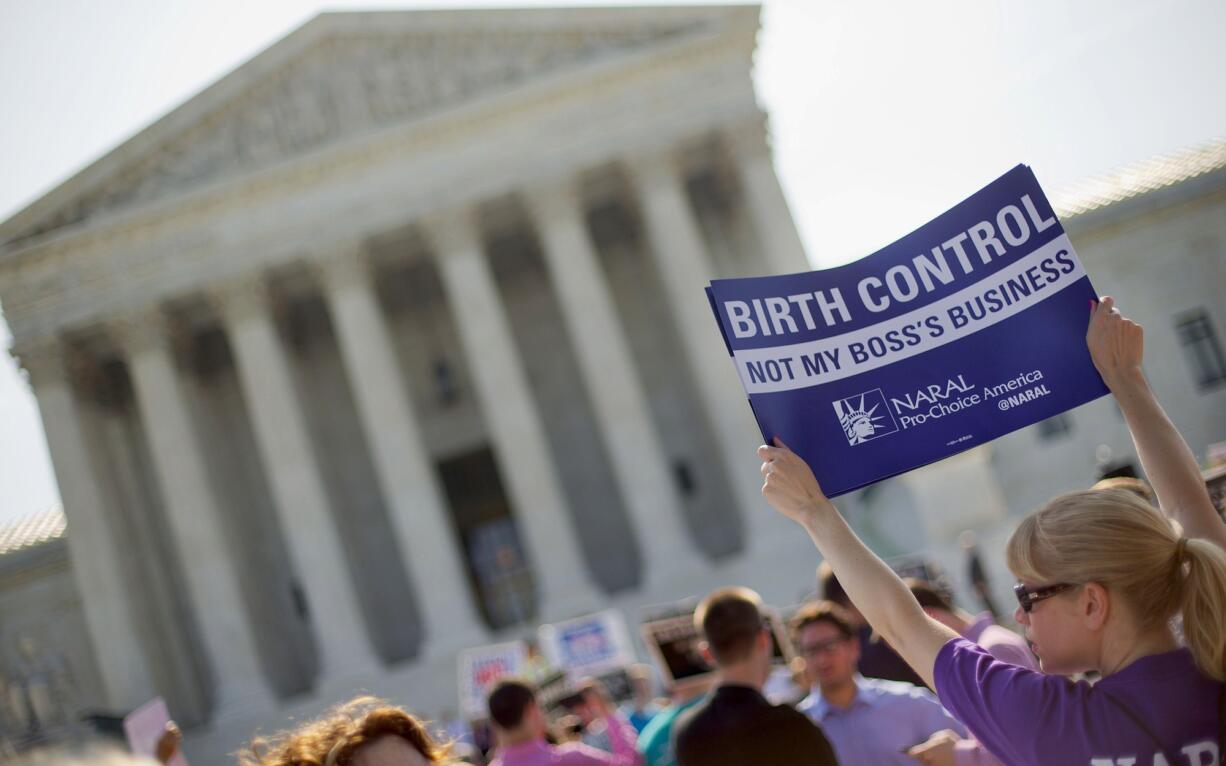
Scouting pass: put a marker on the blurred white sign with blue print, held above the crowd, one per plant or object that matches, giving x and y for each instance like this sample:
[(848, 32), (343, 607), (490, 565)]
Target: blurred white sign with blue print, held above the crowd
[(590, 645)]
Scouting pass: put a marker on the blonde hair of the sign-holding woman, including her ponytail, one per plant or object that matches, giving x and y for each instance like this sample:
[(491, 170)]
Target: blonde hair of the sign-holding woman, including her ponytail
[(1115, 539)]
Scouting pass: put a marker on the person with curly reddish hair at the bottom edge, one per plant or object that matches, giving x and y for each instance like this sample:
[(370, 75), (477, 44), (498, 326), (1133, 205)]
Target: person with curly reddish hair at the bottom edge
[(364, 732)]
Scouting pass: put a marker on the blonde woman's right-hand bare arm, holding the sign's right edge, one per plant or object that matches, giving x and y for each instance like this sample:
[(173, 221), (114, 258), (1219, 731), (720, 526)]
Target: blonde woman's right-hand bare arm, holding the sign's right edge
[(1117, 346)]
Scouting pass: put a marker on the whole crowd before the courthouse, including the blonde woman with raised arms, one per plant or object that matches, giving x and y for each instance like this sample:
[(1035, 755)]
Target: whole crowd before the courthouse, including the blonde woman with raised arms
[(1121, 595)]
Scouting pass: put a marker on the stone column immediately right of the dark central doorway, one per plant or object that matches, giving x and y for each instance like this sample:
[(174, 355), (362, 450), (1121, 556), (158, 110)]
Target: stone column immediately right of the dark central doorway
[(507, 404)]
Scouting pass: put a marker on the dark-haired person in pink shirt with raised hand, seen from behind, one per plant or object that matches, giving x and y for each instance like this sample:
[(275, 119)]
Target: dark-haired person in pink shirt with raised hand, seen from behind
[(523, 727)]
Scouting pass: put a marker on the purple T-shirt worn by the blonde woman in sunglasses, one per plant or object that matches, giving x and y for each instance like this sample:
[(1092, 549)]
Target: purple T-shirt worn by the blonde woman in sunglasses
[(1027, 718)]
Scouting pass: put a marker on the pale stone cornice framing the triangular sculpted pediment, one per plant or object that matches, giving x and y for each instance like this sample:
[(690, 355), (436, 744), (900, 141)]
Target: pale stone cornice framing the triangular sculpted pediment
[(234, 91)]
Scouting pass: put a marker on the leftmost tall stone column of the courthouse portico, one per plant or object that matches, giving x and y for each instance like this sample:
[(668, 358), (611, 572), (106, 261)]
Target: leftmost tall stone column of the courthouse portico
[(95, 546)]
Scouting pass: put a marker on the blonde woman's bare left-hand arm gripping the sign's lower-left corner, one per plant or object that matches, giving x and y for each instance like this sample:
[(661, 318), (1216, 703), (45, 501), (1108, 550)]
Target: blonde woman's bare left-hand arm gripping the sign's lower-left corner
[(885, 600)]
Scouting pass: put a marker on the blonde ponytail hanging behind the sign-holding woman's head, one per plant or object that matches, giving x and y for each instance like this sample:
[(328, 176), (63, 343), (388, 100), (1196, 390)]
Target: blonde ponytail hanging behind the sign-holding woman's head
[(1205, 606)]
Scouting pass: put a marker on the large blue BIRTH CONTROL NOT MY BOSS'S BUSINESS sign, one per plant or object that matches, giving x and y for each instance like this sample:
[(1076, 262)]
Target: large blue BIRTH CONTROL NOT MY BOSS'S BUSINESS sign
[(968, 329)]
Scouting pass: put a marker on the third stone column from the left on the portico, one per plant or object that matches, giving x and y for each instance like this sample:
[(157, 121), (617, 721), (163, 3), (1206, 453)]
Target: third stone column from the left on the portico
[(297, 485)]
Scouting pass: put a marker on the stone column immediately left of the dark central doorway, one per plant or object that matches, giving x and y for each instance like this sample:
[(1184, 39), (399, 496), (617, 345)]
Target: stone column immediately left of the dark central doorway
[(419, 512)]
